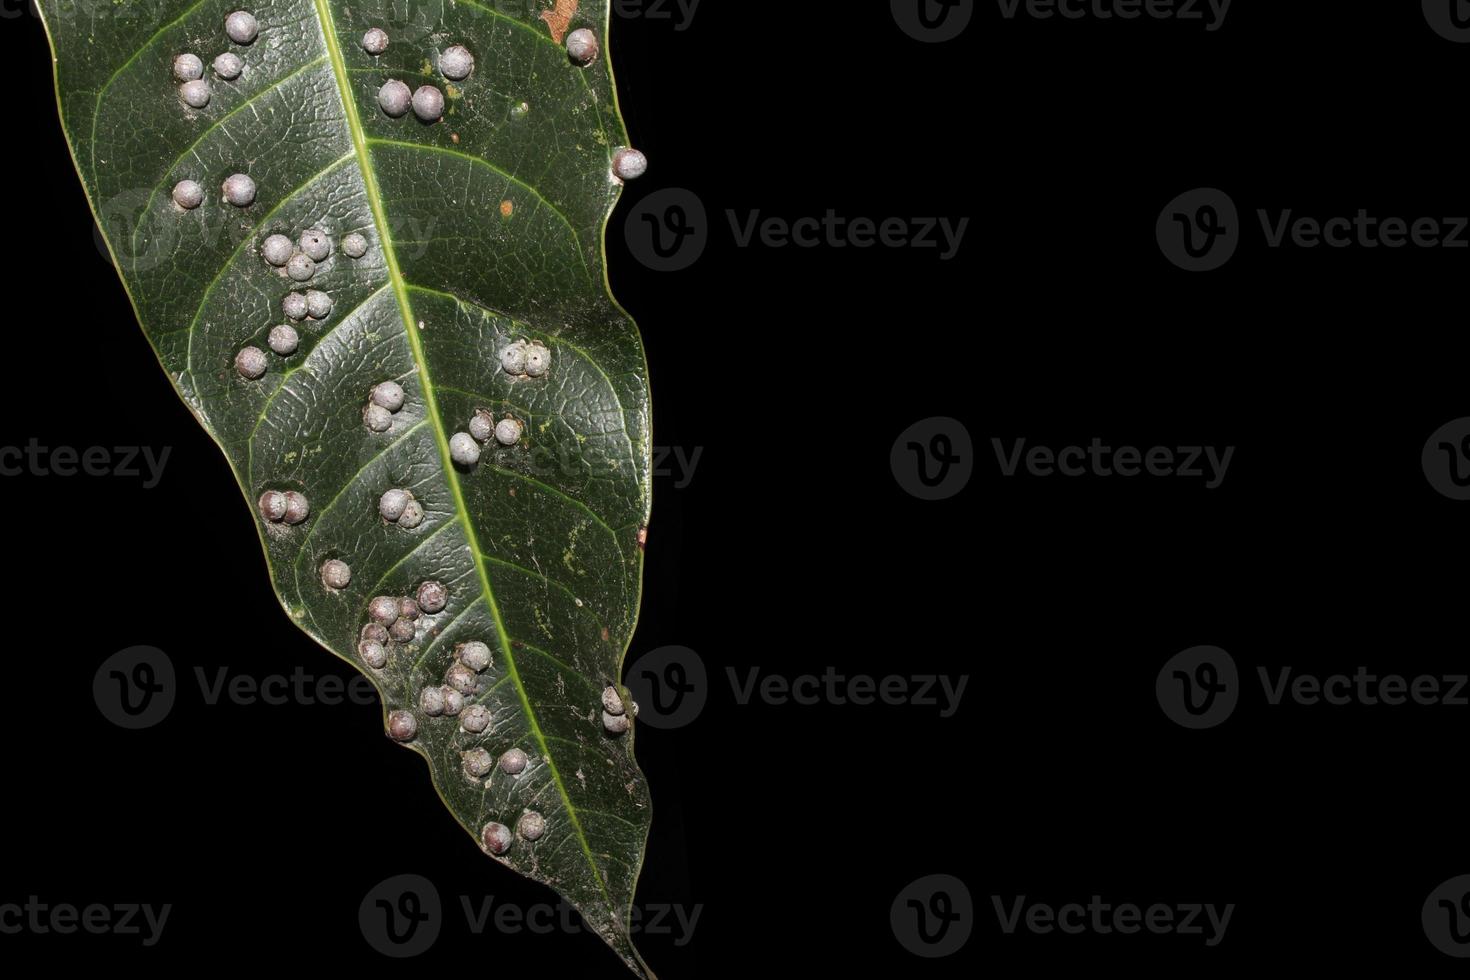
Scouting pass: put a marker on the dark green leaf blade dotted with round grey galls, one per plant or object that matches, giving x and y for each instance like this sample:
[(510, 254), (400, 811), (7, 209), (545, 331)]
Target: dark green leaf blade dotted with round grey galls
[(484, 228)]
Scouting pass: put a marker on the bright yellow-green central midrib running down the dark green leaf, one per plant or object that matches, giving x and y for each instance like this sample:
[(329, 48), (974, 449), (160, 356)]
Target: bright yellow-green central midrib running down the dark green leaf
[(345, 92)]
